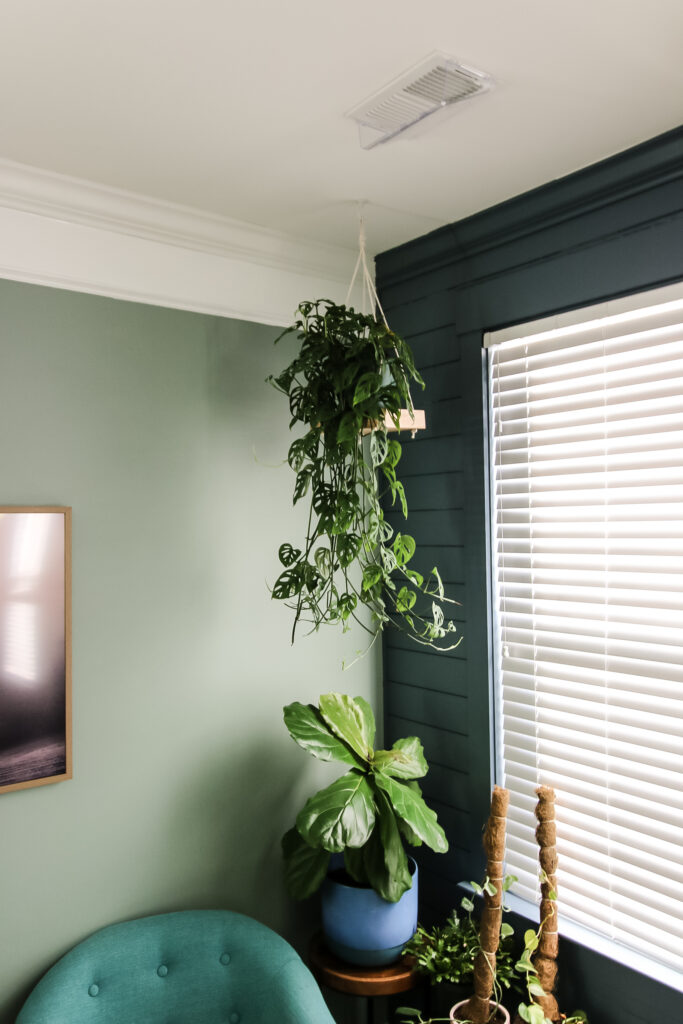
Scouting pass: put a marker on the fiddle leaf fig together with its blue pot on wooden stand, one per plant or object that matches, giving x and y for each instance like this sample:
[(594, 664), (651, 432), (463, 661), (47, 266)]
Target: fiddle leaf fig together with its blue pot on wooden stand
[(365, 818)]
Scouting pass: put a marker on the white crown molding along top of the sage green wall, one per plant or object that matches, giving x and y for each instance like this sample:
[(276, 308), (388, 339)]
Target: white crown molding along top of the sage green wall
[(77, 235)]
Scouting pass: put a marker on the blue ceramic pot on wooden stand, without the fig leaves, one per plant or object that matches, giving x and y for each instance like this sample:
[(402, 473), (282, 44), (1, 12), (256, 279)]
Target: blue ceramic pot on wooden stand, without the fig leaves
[(360, 927)]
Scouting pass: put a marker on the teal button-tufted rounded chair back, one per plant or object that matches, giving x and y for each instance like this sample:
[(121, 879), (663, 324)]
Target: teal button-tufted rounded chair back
[(195, 967)]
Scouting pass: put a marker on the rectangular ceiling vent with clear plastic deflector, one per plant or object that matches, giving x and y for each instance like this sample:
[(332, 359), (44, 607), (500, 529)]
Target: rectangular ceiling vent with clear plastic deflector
[(435, 83)]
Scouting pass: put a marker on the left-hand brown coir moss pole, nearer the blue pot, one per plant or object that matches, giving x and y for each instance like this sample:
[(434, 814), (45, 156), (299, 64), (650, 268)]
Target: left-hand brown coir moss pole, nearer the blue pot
[(478, 1009)]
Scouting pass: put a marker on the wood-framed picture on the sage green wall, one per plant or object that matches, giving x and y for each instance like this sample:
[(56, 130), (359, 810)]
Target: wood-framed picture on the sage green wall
[(35, 647)]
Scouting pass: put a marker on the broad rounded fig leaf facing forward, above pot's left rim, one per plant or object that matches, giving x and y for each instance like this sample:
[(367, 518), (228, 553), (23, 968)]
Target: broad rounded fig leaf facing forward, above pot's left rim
[(340, 816)]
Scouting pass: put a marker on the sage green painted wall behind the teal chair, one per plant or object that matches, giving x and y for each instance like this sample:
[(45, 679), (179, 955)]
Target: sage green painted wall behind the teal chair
[(158, 429)]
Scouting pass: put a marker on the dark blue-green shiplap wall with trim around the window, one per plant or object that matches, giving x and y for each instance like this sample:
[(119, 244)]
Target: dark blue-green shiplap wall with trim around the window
[(611, 230)]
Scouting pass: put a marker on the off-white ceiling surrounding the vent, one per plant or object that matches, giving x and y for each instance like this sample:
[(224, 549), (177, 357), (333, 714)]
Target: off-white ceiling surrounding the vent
[(237, 107)]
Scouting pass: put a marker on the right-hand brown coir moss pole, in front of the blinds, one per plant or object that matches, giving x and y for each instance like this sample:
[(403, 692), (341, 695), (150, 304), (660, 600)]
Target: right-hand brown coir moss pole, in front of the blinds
[(545, 961)]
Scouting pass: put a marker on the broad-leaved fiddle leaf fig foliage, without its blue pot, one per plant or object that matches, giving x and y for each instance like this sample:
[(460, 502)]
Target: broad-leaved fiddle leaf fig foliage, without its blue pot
[(369, 814)]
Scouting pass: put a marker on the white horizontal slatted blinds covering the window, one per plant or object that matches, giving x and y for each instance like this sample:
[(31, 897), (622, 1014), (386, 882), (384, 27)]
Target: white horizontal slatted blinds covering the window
[(587, 503)]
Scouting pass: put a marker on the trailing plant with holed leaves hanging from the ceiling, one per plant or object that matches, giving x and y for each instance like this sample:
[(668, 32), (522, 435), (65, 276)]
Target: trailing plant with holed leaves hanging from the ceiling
[(351, 378)]
